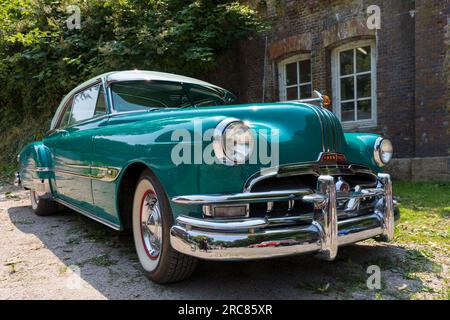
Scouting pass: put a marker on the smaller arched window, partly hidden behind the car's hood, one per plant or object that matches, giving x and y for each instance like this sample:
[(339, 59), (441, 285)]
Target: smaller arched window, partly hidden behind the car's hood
[(295, 77)]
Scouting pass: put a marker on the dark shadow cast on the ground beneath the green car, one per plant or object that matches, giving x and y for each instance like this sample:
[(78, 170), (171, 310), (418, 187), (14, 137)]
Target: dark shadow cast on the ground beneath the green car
[(108, 264)]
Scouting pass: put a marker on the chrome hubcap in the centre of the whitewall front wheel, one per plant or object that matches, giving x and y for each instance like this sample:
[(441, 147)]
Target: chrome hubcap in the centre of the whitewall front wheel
[(151, 226)]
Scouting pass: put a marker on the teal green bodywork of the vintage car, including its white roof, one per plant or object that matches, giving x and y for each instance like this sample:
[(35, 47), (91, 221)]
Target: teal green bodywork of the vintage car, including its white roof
[(86, 166)]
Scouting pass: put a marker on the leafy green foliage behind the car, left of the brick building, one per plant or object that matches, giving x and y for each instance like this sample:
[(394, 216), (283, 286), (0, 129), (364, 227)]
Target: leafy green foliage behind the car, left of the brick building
[(41, 59)]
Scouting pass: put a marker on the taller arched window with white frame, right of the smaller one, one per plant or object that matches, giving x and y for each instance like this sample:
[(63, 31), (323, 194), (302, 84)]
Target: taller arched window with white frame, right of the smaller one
[(354, 84)]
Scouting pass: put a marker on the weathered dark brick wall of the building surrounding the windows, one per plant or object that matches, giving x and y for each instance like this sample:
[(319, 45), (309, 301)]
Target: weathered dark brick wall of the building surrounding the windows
[(413, 63)]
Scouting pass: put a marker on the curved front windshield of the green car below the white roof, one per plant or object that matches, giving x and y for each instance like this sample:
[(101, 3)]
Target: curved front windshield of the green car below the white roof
[(148, 95)]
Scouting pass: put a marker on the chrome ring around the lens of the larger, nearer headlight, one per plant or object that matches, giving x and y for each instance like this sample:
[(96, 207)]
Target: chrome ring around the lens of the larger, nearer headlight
[(220, 137)]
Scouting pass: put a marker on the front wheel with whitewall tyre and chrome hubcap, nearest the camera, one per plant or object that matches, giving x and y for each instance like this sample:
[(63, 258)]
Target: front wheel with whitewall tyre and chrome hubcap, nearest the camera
[(152, 219)]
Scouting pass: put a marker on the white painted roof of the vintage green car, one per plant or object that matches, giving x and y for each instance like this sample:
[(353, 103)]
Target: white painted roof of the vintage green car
[(131, 75)]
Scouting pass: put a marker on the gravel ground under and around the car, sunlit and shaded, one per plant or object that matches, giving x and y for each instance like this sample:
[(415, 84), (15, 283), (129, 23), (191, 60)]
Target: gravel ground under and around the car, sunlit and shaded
[(40, 258)]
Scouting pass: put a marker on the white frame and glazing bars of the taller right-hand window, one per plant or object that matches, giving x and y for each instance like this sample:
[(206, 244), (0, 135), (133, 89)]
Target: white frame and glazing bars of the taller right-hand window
[(336, 83)]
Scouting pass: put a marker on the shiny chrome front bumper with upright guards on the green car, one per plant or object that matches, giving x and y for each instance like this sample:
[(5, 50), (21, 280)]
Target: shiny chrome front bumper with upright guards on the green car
[(257, 238)]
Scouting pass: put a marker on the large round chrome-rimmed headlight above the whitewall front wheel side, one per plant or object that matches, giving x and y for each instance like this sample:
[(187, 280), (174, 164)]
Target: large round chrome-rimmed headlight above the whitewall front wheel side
[(233, 142)]
